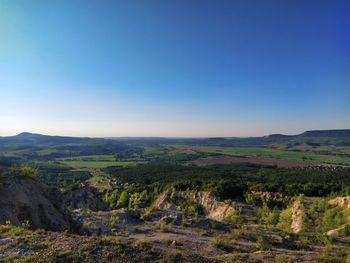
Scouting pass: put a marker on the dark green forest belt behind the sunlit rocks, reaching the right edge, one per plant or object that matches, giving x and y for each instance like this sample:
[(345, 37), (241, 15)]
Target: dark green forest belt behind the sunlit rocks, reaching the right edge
[(234, 179)]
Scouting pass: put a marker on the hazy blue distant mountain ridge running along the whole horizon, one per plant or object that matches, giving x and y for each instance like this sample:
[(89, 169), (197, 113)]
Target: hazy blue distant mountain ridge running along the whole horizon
[(312, 137)]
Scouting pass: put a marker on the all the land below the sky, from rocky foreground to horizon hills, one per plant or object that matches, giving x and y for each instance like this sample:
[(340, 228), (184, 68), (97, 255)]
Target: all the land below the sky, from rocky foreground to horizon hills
[(277, 198)]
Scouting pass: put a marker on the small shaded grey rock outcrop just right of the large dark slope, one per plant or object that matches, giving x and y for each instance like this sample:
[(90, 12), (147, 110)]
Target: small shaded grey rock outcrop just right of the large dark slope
[(85, 198)]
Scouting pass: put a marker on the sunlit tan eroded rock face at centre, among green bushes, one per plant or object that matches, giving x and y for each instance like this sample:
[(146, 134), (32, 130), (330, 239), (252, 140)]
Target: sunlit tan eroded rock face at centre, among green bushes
[(212, 208)]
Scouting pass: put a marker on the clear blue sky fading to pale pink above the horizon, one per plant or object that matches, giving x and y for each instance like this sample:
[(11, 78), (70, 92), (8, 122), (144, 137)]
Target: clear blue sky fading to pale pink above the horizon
[(174, 68)]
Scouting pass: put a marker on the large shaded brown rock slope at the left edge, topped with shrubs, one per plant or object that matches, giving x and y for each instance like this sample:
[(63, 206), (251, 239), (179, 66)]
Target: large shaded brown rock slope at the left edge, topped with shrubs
[(23, 199)]
